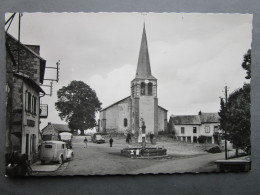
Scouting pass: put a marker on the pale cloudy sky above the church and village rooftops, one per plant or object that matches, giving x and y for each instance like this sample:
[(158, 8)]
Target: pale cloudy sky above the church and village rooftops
[(192, 55)]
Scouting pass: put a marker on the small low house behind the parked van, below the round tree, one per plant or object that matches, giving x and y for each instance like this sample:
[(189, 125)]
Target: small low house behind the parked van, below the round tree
[(52, 130)]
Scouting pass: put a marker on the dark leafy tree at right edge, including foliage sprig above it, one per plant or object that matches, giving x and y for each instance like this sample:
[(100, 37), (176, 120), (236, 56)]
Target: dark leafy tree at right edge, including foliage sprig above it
[(235, 112)]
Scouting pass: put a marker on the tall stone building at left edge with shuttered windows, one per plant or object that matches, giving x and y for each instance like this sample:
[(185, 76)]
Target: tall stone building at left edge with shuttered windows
[(24, 73)]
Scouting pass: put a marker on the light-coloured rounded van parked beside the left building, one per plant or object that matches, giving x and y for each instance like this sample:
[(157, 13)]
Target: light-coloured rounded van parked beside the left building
[(55, 151)]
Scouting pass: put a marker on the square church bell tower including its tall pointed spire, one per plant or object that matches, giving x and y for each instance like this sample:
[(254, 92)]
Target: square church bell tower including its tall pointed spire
[(144, 93)]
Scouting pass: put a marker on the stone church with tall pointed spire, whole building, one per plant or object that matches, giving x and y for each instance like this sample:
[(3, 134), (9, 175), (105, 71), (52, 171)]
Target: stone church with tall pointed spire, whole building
[(126, 115)]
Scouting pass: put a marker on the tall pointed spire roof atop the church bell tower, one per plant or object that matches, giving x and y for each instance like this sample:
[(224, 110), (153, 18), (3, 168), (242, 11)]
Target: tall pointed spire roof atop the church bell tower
[(143, 67)]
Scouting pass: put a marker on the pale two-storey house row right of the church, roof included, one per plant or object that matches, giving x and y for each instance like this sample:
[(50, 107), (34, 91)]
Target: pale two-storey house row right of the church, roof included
[(189, 128)]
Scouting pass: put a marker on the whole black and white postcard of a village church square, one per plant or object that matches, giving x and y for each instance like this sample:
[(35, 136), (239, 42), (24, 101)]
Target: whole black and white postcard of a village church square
[(127, 93)]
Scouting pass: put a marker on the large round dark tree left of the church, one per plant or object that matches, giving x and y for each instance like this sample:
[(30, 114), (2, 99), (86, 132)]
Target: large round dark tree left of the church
[(77, 104)]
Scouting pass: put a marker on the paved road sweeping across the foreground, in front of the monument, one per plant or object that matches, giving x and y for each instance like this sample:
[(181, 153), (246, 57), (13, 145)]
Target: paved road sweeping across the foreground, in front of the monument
[(100, 159)]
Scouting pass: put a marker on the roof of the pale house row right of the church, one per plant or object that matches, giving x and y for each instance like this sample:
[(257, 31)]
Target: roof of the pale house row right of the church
[(195, 119)]
